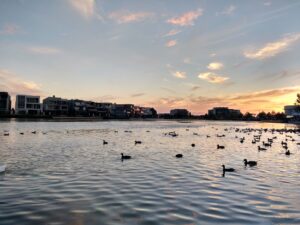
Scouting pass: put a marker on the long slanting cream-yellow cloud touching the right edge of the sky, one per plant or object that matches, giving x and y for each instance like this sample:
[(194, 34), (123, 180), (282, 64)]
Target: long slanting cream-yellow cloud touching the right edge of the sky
[(273, 48)]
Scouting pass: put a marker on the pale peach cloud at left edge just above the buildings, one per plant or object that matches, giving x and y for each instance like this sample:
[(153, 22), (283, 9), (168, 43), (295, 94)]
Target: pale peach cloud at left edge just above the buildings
[(11, 83)]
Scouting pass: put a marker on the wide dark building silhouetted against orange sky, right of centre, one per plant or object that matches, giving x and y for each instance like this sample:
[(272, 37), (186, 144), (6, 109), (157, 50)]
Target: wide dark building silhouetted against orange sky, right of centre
[(224, 113)]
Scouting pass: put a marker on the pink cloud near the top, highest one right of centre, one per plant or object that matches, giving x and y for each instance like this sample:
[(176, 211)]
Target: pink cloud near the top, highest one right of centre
[(186, 19)]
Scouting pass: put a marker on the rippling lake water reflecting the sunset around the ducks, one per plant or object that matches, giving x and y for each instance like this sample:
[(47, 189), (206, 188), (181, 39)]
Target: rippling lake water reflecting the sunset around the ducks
[(65, 175)]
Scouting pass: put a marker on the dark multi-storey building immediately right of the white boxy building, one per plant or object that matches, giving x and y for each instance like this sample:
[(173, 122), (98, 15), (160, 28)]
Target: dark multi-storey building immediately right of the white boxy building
[(53, 106)]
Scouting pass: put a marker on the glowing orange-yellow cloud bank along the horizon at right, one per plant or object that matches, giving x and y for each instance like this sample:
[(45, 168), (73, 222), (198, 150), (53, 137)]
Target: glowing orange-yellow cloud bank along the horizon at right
[(268, 100)]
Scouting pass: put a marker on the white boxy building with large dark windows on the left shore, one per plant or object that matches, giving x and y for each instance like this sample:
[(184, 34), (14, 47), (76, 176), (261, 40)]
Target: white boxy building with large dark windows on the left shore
[(28, 105)]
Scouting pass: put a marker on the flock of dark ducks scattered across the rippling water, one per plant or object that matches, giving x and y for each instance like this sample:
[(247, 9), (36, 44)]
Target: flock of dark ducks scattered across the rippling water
[(247, 131)]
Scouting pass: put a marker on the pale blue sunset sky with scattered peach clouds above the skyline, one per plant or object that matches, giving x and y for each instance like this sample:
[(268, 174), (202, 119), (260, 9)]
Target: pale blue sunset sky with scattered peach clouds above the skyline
[(193, 54)]
